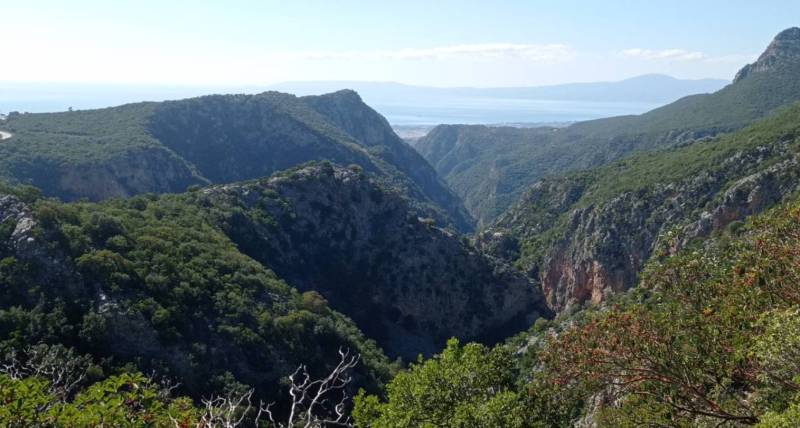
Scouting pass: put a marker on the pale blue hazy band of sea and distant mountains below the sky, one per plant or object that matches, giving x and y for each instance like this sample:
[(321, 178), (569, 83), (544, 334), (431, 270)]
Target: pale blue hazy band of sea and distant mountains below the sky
[(402, 105)]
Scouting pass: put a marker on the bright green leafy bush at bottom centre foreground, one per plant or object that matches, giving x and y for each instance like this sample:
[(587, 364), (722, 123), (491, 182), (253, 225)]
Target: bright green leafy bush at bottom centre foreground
[(463, 386)]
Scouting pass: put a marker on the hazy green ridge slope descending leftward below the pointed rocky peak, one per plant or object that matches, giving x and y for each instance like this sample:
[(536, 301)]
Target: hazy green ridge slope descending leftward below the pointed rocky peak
[(491, 168)]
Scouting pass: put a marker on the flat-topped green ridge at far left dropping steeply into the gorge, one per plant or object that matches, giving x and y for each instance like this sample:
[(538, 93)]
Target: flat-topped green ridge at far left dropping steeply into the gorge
[(164, 147)]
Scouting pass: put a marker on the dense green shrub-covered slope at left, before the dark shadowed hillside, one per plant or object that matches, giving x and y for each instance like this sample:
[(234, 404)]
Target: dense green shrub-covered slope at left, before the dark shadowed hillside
[(152, 282)]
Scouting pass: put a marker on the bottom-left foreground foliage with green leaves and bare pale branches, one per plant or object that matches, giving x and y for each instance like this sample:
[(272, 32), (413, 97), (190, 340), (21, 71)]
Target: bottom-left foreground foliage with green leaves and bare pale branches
[(47, 386)]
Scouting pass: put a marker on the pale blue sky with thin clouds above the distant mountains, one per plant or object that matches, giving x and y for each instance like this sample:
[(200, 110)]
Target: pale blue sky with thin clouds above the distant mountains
[(435, 43)]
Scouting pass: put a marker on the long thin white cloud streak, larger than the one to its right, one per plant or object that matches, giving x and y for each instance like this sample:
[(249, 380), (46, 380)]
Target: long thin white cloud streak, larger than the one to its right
[(549, 53)]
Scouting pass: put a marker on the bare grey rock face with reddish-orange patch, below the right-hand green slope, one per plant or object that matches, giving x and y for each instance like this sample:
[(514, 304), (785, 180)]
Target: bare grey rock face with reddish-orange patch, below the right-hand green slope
[(606, 246)]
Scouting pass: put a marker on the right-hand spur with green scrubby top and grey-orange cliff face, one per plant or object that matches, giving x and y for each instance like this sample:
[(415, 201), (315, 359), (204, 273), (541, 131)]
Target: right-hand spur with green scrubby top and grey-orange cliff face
[(582, 239)]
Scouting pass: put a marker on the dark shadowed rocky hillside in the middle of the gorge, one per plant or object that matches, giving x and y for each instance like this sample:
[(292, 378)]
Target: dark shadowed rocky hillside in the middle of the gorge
[(407, 283)]
